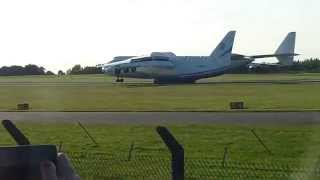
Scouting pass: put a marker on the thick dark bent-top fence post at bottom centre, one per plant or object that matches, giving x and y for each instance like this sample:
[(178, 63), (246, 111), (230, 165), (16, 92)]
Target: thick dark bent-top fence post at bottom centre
[(177, 153)]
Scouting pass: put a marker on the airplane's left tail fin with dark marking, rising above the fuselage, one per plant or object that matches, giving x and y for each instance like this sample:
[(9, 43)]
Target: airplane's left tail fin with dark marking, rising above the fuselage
[(224, 49)]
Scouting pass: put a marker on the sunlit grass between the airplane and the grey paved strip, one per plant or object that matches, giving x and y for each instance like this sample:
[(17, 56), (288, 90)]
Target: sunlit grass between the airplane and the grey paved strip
[(99, 93)]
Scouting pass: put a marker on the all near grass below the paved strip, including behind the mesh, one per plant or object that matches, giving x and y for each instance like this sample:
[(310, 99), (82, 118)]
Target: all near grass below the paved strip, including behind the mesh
[(293, 146)]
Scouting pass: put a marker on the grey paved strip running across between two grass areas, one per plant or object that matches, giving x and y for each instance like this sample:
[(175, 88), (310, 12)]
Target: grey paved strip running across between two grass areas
[(166, 117)]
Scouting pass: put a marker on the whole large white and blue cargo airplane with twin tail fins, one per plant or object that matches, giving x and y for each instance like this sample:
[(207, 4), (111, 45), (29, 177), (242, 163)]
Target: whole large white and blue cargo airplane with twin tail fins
[(166, 67)]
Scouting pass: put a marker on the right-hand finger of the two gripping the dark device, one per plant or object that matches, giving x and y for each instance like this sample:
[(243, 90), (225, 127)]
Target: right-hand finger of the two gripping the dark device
[(64, 166)]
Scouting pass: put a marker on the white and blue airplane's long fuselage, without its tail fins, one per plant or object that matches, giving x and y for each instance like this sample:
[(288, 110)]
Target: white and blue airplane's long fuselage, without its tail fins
[(171, 68)]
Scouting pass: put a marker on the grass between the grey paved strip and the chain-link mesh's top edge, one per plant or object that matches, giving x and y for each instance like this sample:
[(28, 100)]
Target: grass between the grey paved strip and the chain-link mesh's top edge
[(287, 143)]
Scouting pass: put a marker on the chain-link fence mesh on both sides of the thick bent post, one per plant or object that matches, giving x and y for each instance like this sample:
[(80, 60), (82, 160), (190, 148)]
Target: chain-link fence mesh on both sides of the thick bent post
[(106, 166)]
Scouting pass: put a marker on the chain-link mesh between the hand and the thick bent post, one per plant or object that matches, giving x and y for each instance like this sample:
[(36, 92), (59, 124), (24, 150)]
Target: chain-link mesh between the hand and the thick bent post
[(105, 166)]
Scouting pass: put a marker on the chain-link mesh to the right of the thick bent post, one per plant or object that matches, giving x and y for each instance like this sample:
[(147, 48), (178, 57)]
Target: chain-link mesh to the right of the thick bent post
[(204, 168)]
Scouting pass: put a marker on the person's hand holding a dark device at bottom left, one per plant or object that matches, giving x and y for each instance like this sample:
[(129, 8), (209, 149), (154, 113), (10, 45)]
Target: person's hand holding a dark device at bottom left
[(63, 171)]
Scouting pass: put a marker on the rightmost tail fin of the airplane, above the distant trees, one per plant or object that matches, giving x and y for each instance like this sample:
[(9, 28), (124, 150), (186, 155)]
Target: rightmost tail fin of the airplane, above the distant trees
[(285, 52)]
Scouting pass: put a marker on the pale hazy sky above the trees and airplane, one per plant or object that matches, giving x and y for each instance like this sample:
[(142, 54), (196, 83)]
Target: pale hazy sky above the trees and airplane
[(60, 33)]
